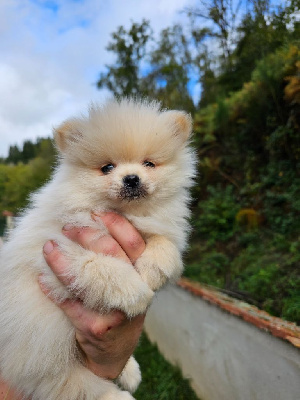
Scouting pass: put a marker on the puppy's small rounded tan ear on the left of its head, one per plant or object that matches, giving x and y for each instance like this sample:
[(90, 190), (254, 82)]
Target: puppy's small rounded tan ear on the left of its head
[(67, 134)]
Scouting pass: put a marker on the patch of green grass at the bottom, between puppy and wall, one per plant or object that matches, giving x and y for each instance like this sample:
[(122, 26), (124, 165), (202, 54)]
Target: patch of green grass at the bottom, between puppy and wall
[(161, 380)]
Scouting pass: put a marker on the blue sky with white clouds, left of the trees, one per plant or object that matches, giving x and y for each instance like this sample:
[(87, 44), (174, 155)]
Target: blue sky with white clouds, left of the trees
[(52, 52)]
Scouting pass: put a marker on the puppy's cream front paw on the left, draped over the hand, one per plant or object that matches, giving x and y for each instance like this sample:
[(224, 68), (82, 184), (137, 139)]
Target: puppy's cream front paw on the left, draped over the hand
[(106, 283)]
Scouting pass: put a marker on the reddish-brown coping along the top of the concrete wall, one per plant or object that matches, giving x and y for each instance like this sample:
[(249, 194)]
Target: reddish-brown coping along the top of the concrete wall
[(285, 330)]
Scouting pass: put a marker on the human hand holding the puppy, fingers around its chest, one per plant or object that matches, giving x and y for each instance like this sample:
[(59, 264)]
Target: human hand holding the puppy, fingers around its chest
[(106, 341)]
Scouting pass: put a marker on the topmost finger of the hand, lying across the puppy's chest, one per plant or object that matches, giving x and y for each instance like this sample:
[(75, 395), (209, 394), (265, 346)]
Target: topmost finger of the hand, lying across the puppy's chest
[(124, 233)]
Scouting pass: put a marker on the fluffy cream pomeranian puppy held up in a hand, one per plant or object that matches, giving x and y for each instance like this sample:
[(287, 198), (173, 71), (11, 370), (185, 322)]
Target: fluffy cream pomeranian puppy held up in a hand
[(130, 157)]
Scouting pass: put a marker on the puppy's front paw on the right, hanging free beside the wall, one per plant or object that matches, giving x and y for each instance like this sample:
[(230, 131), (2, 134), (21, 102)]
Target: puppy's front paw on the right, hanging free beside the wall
[(161, 261)]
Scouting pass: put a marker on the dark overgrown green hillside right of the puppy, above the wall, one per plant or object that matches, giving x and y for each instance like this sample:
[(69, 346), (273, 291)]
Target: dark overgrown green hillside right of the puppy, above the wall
[(247, 218)]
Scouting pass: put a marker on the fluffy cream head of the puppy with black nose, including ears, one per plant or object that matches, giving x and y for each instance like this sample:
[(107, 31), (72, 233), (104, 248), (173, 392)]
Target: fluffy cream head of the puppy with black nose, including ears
[(127, 153)]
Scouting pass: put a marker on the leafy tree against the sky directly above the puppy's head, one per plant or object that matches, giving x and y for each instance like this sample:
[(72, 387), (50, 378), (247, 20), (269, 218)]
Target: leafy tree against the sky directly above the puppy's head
[(166, 76)]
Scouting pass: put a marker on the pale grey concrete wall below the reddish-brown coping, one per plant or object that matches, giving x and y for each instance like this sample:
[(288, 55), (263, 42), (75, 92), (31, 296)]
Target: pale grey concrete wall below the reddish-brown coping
[(225, 357)]
